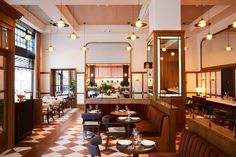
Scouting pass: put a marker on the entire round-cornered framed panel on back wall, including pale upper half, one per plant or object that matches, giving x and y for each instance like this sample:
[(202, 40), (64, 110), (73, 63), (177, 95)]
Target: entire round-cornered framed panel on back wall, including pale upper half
[(108, 70)]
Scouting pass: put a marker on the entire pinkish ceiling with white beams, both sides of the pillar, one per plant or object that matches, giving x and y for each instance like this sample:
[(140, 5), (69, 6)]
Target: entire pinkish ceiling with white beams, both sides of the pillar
[(107, 12)]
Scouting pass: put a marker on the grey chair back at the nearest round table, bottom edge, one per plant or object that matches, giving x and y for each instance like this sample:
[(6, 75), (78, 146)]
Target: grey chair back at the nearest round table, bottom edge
[(93, 146)]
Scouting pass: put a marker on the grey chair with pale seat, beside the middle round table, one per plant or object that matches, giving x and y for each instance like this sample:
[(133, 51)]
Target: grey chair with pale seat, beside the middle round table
[(115, 131)]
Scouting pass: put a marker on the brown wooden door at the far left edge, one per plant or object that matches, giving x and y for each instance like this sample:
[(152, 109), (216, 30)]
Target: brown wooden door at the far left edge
[(3, 103)]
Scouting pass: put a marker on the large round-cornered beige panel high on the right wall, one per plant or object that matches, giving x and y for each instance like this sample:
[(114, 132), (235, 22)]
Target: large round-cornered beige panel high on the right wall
[(214, 51)]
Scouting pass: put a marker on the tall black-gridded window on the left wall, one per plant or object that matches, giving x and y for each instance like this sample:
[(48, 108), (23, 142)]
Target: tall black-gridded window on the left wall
[(24, 61)]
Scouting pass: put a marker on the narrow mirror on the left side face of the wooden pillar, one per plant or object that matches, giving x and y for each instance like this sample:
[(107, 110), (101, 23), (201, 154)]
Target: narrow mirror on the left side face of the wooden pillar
[(148, 66)]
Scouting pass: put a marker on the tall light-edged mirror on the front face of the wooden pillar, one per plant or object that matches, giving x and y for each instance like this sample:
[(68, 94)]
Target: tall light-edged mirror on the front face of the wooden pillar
[(169, 66)]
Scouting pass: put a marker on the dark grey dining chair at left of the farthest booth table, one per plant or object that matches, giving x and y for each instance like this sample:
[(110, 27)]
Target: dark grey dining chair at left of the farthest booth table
[(91, 121)]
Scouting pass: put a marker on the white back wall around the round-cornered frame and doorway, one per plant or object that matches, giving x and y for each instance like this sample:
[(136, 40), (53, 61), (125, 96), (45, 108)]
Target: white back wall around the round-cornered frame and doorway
[(68, 54)]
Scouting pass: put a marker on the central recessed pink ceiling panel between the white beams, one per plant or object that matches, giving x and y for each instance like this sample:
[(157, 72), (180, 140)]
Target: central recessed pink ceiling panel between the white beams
[(103, 14)]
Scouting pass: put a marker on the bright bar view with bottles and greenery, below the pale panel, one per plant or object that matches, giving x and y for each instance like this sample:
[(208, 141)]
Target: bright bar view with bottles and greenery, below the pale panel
[(108, 81)]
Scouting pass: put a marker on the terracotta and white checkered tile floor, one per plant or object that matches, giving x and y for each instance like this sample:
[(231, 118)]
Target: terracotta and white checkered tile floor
[(69, 144)]
